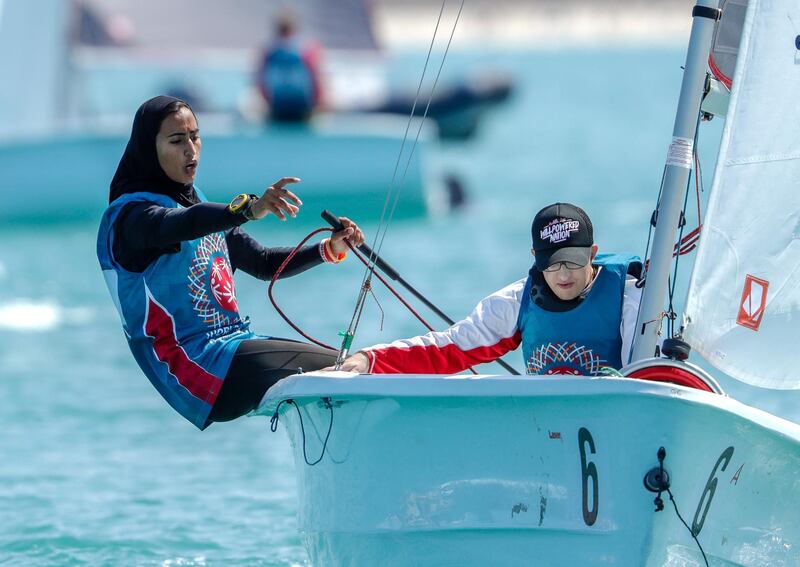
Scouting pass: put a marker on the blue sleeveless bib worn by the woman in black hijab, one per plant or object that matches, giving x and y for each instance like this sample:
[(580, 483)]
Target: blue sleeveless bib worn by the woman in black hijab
[(179, 315)]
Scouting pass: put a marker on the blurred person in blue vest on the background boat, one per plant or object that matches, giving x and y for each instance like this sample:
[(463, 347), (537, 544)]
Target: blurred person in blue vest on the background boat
[(288, 75)]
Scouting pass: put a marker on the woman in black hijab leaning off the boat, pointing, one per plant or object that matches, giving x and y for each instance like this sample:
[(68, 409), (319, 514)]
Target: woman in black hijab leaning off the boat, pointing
[(168, 257)]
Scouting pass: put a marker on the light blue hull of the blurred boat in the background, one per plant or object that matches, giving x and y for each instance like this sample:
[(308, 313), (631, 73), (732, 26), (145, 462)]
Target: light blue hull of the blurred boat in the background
[(344, 162)]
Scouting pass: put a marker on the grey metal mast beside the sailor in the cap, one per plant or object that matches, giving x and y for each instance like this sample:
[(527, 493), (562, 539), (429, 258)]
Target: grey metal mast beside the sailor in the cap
[(679, 163)]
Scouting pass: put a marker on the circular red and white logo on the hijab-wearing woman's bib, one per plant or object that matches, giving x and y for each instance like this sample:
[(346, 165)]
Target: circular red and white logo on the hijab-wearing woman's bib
[(211, 283)]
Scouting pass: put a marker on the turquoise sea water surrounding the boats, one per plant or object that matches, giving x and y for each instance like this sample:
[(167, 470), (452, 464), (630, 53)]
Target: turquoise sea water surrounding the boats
[(95, 469)]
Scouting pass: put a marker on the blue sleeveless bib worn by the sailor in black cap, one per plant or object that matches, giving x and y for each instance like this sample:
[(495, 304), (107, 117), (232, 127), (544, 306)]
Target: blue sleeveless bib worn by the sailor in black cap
[(582, 340)]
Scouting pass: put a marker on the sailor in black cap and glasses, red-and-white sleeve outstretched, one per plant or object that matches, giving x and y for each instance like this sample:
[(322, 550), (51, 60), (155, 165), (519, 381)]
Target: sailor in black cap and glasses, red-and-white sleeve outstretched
[(574, 313)]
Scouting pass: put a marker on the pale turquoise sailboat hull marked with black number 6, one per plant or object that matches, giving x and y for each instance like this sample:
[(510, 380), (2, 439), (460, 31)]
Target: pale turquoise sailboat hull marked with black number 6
[(507, 471)]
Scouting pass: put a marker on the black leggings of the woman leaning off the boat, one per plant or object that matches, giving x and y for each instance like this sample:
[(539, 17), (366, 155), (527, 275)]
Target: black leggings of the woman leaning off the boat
[(257, 365)]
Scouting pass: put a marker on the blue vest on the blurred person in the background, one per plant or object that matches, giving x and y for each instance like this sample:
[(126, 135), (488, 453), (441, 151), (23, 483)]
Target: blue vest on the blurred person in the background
[(288, 81)]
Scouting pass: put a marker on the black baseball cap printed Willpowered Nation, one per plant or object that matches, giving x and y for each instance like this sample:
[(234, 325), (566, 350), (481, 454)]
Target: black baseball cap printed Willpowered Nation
[(562, 233)]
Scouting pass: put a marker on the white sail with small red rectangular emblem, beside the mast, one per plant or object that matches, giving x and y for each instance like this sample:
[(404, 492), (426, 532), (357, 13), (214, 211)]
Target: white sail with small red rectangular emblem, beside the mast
[(743, 308)]
